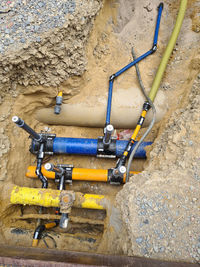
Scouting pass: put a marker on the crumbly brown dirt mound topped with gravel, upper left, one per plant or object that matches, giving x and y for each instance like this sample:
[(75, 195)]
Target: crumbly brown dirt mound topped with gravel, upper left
[(56, 55)]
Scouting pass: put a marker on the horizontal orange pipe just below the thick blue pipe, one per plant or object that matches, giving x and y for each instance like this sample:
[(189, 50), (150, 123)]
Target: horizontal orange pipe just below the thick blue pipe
[(78, 174)]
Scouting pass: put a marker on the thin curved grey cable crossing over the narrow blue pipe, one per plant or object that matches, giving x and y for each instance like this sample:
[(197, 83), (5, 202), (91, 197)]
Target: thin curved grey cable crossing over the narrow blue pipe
[(151, 124)]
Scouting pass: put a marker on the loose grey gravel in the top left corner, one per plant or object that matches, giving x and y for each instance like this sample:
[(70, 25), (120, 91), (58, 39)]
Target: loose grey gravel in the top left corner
[(23, 21)]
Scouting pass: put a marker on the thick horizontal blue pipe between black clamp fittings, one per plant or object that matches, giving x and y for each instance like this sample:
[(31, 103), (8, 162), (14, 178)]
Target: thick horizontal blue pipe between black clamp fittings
[(84, 146)]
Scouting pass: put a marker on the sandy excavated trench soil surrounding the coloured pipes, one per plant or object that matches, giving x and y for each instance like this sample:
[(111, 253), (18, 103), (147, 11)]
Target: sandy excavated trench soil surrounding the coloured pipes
[(81, 71)]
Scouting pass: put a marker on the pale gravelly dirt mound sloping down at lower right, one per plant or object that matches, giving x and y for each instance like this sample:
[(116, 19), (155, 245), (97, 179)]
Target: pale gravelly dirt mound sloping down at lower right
[(160, 207)]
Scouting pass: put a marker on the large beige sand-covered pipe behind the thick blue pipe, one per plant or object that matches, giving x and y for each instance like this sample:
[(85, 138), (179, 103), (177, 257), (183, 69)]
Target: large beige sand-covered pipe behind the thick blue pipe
[(126, 109)]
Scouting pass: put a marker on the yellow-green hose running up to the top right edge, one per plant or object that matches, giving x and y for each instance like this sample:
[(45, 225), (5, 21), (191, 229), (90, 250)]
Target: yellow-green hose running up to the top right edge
[(168, 50)]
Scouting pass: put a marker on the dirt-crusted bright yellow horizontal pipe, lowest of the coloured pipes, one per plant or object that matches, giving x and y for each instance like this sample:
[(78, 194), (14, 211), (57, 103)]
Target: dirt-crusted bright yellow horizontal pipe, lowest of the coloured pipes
[(51, 198)]
